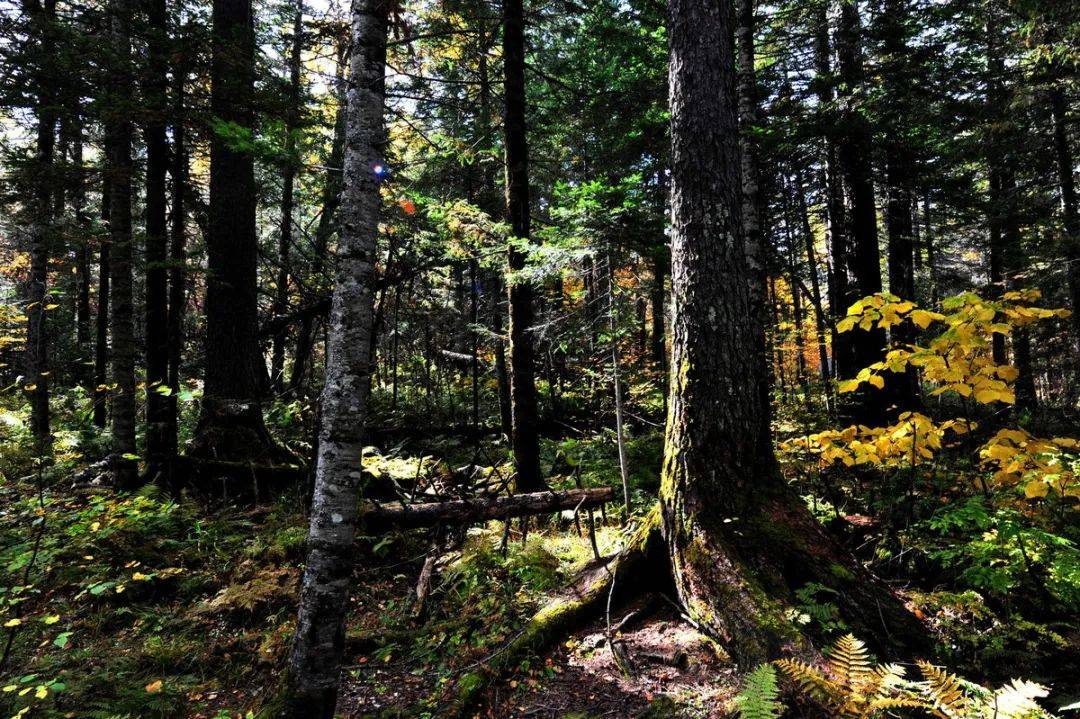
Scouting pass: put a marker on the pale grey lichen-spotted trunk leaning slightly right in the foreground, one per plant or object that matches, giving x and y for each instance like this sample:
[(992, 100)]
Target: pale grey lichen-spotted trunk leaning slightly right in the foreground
[(315, 666)]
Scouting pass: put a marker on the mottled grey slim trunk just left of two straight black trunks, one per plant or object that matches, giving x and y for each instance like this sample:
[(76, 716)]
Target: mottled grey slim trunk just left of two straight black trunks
[(118, 129)]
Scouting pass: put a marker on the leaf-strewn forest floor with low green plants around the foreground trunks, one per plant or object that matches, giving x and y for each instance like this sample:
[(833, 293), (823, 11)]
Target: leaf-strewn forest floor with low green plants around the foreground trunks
[(139, 606)]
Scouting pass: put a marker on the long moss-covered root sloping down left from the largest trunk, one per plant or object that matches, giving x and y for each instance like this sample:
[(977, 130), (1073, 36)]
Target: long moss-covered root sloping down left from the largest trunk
[(588, 599)]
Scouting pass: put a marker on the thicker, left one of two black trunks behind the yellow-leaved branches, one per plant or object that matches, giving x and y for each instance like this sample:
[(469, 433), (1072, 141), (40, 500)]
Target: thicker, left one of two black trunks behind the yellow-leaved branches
[(855, 153)]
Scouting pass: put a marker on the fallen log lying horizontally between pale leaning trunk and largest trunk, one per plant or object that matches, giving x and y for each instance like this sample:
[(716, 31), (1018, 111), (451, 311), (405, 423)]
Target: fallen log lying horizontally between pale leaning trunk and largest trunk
[(383, 518)]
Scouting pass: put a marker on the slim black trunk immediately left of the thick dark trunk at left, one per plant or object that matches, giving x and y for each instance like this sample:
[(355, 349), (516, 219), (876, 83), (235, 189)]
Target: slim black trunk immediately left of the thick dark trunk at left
[(178, 255)]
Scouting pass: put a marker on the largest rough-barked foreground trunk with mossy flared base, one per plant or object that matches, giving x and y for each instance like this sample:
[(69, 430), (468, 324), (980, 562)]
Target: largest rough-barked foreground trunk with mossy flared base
[(739, 540)]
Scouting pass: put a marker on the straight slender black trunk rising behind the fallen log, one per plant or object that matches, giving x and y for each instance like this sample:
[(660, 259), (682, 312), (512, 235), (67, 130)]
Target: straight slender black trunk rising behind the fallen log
[(523, 395)]
